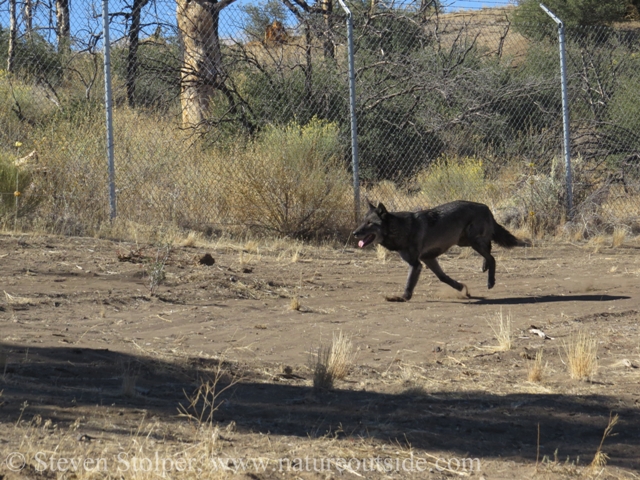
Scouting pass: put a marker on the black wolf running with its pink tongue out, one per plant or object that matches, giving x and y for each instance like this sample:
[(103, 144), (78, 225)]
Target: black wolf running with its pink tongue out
[(427, 234)]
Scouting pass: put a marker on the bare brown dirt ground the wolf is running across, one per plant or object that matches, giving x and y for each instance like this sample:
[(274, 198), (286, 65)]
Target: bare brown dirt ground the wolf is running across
[(101, 342)]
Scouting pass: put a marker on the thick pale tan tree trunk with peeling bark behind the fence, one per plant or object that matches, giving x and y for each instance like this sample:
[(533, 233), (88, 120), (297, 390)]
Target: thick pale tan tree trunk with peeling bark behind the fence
[(202, 72)]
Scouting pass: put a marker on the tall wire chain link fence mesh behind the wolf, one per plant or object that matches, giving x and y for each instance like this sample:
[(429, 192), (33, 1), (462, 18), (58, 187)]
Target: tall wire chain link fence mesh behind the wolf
[(232, 117)]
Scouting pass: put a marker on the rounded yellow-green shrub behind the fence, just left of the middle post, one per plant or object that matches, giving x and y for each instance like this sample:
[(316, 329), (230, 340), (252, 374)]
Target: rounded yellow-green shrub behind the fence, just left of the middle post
[(290, 181)]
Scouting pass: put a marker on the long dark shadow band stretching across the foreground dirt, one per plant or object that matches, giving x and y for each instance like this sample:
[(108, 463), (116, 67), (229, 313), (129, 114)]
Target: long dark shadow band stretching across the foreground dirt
[(56, 381)]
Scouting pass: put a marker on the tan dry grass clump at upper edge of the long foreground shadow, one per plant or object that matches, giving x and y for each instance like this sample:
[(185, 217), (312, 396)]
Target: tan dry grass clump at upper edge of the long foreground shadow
[(333, 362)]
